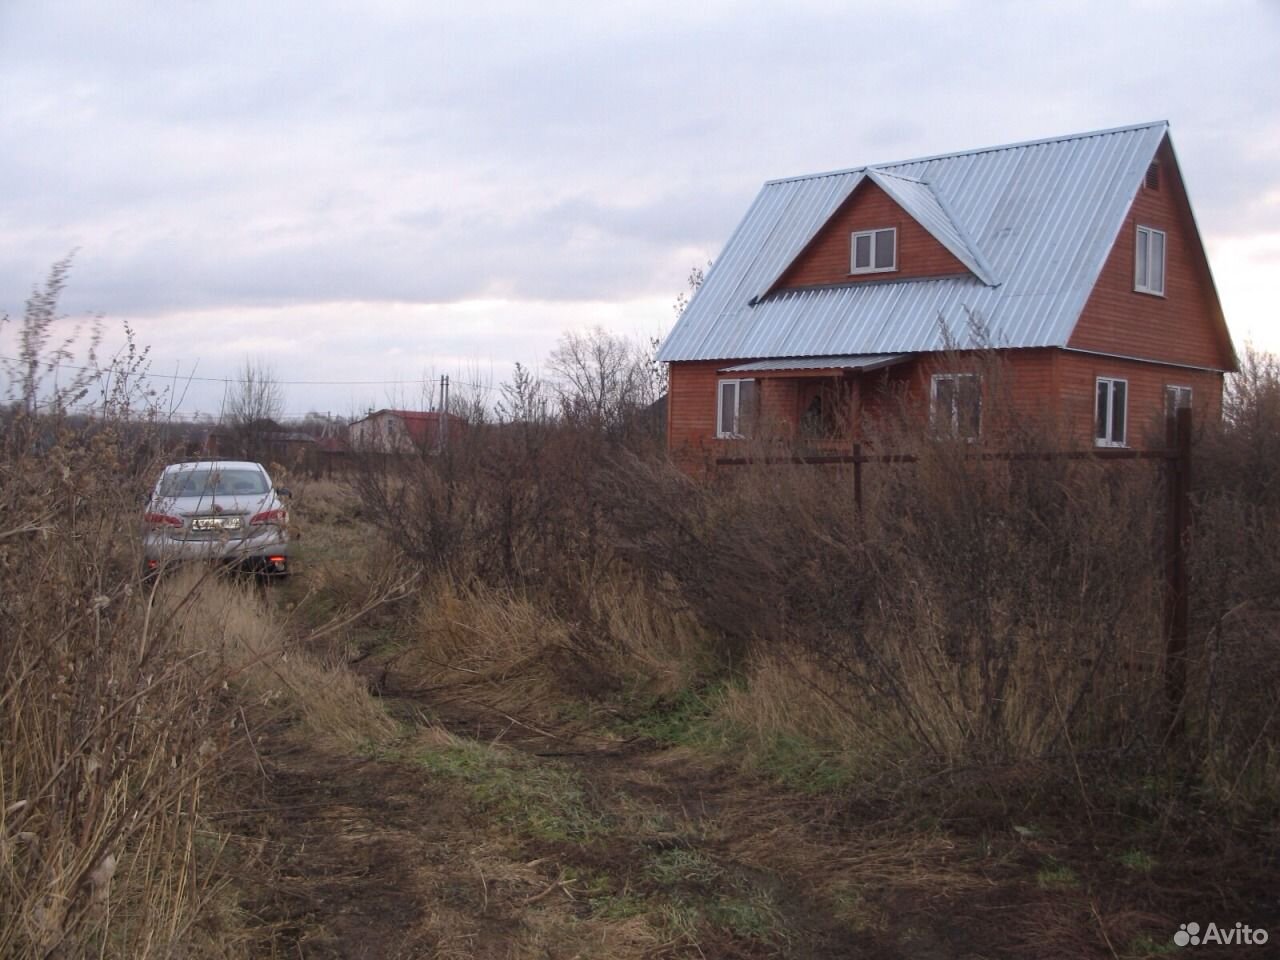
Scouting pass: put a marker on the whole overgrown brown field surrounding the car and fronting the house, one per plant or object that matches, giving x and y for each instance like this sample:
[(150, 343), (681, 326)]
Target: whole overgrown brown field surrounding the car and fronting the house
[(546, 698)]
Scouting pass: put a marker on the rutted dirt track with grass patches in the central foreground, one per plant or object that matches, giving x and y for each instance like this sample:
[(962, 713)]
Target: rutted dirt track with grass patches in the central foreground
[(483, 836)]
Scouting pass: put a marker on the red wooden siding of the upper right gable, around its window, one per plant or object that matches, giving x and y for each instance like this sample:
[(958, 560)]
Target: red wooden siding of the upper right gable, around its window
[(1182, 327)]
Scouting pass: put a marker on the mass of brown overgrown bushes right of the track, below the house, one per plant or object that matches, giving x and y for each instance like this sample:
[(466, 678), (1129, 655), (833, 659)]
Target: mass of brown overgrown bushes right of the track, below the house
[(977, 612)]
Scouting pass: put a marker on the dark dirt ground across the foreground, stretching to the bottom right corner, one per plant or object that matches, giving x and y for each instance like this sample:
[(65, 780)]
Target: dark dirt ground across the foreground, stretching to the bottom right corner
[(488, 836)]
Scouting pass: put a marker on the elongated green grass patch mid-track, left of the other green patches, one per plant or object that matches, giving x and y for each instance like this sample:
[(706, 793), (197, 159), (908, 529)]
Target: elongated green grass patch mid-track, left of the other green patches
[(537, 799)]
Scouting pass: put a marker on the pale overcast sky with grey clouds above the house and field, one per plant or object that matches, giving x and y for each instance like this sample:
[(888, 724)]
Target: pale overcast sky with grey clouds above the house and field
[(388, 191)]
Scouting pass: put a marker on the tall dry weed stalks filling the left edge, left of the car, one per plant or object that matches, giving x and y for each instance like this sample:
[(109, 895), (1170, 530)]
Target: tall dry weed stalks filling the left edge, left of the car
[(111, 734)]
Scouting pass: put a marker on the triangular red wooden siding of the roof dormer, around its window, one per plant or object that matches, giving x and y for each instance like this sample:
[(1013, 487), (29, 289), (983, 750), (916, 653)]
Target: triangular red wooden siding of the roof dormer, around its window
[(828, 258)]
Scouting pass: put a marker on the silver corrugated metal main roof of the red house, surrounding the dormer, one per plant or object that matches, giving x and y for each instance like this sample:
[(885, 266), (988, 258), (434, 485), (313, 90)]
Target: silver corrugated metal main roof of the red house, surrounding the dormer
[(1034, 222)]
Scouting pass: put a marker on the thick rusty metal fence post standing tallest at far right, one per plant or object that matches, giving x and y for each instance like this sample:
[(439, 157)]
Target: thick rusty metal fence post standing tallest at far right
[(1178, 528)]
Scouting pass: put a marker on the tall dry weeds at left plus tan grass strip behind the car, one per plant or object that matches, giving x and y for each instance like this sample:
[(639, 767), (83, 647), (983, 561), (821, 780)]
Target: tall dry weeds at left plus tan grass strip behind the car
[(122, 711)]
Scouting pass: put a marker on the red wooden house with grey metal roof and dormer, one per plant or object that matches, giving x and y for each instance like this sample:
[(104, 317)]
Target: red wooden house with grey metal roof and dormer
[(1075, 260)]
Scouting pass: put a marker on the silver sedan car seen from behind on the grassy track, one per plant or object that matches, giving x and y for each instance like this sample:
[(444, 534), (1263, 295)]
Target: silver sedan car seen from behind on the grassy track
[(217, 510)]
